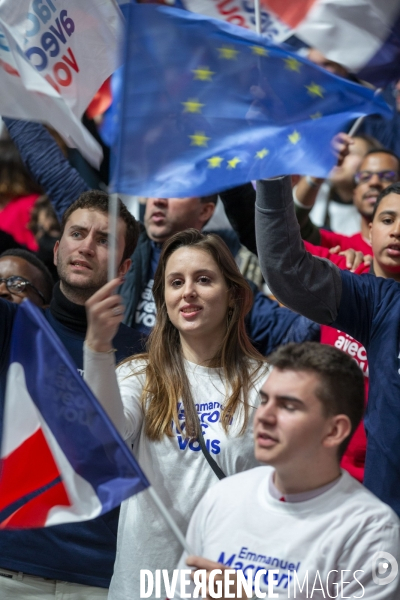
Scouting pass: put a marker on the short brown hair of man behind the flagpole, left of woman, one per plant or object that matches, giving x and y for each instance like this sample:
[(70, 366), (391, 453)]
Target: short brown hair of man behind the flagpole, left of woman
[(97, 200)]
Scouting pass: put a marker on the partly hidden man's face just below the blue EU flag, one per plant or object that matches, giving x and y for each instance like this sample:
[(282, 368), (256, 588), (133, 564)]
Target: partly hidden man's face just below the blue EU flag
[(166, 216)]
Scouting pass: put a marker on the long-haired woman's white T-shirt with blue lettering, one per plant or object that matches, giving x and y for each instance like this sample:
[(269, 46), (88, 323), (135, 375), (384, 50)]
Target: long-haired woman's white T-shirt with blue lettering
[(178, 471)]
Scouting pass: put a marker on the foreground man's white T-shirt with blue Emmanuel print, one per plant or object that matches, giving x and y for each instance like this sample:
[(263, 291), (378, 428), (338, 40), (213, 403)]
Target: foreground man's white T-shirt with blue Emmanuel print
[(313, 545)]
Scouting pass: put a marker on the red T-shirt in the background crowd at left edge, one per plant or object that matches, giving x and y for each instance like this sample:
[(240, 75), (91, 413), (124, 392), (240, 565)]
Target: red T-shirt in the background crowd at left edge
[(14, 219)]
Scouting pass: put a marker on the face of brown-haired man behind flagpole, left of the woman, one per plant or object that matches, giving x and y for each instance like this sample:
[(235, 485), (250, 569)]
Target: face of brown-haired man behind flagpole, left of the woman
[(81, 255)]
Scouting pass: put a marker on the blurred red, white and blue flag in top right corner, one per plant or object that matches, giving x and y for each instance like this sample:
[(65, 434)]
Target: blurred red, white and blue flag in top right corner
[(361, 35)]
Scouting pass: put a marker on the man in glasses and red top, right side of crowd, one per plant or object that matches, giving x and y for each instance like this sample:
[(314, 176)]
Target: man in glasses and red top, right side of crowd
[(378, 170)]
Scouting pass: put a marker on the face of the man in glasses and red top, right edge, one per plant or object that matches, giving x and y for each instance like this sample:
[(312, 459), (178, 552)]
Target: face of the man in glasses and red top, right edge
[(366, 193)]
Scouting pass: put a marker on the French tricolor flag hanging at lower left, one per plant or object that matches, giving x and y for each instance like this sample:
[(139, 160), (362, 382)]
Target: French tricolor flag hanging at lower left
[(62, 460)]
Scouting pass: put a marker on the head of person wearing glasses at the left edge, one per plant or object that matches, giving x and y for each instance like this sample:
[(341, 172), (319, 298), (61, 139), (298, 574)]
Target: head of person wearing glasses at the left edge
[(23, 275)]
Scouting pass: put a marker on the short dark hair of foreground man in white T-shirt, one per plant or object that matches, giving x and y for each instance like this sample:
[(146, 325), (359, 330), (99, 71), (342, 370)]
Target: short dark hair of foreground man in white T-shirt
[(341, 389)]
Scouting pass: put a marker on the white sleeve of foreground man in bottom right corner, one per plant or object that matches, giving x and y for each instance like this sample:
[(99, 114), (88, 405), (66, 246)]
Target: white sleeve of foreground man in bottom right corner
[(379, 546)]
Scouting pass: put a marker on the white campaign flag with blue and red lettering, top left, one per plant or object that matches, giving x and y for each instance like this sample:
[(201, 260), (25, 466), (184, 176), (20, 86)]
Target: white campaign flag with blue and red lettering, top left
[(54, 56)]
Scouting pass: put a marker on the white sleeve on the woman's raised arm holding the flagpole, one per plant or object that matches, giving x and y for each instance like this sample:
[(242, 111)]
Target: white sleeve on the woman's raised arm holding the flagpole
[(122, 406)]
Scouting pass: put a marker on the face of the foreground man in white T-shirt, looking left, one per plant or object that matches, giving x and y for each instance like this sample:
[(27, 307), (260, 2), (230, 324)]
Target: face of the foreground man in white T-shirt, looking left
[(290, 426)]
